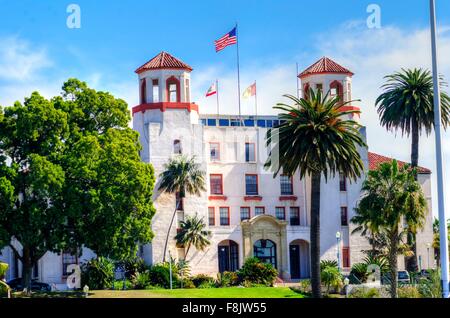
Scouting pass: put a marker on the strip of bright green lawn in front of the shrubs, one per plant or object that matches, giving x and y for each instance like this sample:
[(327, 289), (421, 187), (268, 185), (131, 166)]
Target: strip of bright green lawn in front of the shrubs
[(233, 292)]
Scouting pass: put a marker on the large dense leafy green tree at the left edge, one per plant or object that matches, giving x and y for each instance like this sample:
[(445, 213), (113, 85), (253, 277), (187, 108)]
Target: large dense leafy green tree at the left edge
[(71, 177)]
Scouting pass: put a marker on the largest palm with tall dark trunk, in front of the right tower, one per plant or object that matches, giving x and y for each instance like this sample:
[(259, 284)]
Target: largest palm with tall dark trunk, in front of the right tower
[(315, 138)]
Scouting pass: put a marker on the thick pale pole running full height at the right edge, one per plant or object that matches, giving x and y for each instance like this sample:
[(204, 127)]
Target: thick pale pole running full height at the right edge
[(443, 233)]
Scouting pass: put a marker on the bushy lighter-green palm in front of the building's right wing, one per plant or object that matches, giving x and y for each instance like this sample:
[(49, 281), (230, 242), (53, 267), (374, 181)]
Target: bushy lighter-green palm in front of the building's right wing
[(391, 198)]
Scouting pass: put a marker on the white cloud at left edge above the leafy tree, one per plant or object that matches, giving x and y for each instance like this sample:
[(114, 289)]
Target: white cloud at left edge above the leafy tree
[(19, 60)]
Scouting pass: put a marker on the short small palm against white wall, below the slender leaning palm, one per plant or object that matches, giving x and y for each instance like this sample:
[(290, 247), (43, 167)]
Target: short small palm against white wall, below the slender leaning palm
[(192, 233)]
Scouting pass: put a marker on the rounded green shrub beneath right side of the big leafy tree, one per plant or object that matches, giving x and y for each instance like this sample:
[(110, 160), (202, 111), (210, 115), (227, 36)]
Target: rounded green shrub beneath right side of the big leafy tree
[(98, 273)]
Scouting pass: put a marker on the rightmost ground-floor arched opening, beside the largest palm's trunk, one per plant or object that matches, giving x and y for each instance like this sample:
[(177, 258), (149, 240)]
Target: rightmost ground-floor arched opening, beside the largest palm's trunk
[(299, 257)]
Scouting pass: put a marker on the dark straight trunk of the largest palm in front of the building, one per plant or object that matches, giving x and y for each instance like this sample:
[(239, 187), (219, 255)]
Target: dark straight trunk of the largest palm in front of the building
[(315, 236)]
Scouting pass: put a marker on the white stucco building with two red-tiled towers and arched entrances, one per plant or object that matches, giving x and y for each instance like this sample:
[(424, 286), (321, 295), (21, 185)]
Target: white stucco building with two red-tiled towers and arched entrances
[(247, 210)]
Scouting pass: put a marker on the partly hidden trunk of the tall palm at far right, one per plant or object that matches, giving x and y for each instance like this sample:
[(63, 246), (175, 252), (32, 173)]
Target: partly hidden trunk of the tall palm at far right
[(411, 261)]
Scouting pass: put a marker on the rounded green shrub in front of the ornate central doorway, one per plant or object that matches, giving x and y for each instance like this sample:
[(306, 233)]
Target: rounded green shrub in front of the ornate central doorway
[(257, 272)]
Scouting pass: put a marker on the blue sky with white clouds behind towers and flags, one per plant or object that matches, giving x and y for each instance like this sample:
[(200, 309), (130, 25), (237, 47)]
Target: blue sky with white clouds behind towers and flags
[(38, 51)]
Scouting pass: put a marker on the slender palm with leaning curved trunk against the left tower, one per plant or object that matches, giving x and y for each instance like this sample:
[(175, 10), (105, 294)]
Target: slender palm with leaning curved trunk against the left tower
[(181, 175)]
